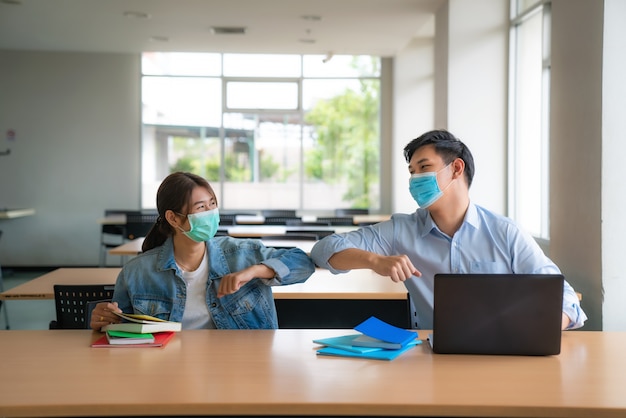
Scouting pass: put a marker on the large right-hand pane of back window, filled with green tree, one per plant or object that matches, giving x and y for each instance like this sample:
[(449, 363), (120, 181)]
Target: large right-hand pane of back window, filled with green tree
[(342, 144)]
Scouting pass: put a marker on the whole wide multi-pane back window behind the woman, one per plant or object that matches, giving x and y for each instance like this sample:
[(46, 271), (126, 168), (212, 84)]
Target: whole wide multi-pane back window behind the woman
[(268, 131)]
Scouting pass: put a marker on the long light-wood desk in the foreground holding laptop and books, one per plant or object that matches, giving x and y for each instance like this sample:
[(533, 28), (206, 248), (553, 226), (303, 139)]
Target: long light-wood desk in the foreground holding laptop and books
[(277, 373)]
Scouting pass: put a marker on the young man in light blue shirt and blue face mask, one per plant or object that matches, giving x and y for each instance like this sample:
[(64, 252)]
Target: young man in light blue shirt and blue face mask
[(447, 234)]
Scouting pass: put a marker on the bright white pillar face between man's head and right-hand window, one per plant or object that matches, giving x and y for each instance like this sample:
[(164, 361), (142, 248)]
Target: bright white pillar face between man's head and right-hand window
[(477, 93)]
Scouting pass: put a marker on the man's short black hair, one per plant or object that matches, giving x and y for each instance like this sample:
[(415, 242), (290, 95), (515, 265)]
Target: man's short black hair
[(447, 146)]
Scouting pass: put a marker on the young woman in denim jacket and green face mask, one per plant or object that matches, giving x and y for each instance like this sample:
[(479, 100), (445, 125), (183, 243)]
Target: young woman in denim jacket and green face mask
[(188, 275)]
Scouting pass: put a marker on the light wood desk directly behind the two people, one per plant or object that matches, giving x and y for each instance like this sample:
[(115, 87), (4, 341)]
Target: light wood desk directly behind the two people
[(323, 301)]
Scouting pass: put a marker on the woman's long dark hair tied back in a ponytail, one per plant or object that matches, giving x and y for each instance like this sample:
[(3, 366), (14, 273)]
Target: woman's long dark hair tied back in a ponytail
[(174, 194)]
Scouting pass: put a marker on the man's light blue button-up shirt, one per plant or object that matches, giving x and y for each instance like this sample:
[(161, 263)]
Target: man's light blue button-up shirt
[(485, 243)]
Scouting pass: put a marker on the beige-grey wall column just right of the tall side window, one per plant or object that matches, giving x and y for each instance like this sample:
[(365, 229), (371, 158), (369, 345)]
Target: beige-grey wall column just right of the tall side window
[(576, 137)]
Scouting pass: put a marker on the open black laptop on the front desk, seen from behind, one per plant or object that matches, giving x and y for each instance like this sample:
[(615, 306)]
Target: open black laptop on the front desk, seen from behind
[(498, 314)]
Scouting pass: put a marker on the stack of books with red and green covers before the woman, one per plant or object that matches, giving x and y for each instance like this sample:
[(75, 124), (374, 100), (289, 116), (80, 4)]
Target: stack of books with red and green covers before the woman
[(138, 331)]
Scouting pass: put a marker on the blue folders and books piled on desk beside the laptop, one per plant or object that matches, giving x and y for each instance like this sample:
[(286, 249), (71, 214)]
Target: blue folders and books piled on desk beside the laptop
[(377, 340)]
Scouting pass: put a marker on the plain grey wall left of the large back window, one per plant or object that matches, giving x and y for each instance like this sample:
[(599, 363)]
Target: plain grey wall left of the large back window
[(76, 151)]
